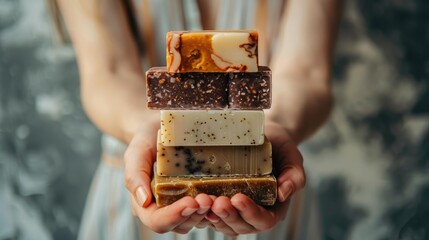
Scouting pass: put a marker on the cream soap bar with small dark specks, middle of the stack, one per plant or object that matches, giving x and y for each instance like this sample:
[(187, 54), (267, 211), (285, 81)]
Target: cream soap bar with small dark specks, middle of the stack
[(212, 127)]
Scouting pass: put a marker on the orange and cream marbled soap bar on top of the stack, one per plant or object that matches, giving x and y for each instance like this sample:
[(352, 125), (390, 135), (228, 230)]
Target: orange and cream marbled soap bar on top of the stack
[(212, 51)]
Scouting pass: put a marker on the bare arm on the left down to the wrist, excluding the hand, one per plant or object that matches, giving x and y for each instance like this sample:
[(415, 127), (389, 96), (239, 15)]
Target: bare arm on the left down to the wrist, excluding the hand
[(112, 82)]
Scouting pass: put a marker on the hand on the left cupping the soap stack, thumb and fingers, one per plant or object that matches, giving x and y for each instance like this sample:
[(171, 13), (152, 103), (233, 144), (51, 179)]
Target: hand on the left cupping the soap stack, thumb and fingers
[(180, 216)]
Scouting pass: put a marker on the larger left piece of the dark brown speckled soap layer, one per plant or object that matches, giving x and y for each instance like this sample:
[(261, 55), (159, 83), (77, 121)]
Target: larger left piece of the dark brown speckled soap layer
[(186, 90)]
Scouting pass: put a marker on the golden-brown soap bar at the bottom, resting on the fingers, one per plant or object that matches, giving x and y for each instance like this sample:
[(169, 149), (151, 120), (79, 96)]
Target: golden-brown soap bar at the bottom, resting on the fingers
[(261, 189)]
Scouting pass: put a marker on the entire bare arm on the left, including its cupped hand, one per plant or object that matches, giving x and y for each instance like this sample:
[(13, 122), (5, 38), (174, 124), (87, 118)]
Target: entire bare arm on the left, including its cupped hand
[(113, 94)]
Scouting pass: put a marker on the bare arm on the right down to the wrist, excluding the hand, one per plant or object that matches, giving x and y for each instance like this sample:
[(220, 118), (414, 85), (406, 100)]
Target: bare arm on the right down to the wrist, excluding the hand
[(302, 97)]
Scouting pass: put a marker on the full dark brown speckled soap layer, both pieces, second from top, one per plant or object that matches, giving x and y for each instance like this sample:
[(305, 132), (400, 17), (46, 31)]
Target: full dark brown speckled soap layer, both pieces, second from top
[(210, 90)]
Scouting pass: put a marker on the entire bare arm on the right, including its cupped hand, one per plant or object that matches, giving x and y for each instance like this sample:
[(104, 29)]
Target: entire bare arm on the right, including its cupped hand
[(301, 102)]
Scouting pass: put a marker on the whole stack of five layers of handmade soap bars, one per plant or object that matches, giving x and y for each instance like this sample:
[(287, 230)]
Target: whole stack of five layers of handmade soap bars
[(211, 95)]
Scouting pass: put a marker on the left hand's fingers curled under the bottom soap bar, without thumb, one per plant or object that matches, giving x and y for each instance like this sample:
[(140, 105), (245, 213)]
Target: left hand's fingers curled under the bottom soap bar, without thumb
[(162, 220)]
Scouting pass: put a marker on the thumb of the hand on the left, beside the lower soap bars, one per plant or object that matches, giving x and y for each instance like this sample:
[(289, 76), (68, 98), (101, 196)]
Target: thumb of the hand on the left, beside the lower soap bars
[(139, 158)]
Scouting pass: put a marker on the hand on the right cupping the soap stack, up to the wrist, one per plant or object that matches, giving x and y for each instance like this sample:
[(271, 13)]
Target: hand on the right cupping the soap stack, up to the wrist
[(240, 215)]
